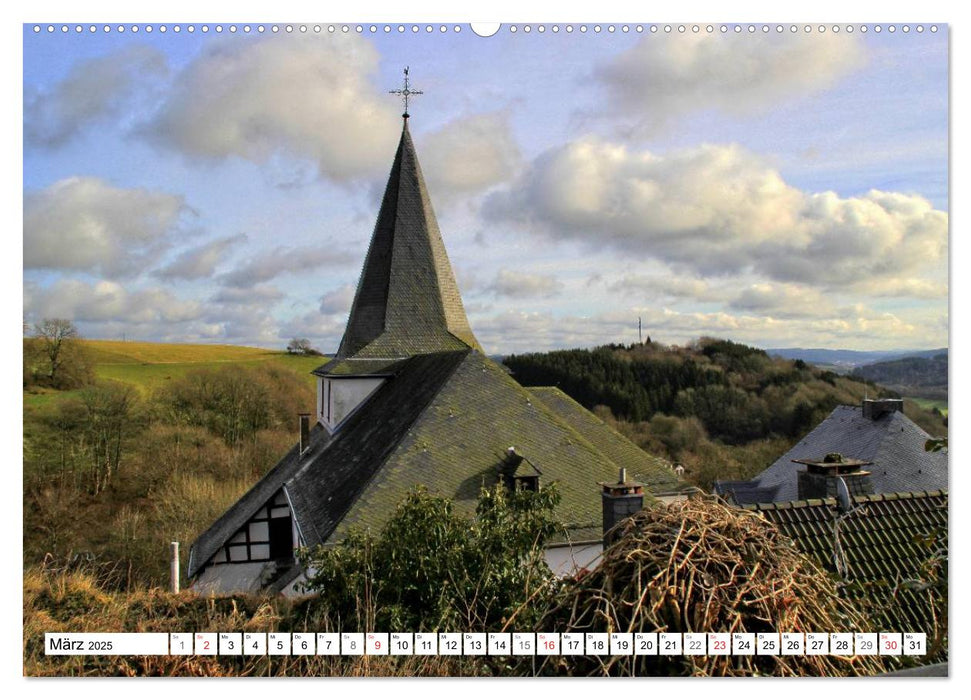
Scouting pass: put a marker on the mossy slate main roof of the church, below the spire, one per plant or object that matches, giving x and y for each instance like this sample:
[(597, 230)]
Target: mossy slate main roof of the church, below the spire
[(443, 420)]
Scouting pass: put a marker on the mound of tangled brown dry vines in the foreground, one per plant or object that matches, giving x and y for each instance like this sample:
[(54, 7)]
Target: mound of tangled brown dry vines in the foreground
[(699, 566)]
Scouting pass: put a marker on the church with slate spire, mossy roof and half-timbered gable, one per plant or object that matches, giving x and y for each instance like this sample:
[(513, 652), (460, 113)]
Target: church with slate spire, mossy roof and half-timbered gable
[(410, 398)]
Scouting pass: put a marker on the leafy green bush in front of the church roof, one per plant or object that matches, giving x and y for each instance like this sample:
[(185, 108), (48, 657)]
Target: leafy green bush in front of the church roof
[(432, 569)]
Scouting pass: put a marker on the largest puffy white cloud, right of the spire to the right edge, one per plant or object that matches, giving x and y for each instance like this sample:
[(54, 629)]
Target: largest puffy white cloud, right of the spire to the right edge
[(719, 210)]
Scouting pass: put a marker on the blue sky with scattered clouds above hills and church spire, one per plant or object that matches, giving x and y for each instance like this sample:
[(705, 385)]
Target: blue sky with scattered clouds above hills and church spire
[(782, 189)]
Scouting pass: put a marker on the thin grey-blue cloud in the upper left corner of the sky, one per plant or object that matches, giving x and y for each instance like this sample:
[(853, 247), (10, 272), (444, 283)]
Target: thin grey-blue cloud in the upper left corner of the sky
[(93, 89)]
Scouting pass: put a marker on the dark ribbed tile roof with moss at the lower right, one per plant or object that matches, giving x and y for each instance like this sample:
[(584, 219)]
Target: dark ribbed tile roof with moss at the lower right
[(885, 539)]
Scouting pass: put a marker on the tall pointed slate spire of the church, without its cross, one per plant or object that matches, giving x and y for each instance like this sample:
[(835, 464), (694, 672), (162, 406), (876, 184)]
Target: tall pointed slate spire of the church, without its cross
[(407, 301)]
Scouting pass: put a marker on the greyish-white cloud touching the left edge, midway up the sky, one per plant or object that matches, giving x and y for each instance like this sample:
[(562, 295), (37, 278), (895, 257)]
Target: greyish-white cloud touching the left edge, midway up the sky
[(83, 223)]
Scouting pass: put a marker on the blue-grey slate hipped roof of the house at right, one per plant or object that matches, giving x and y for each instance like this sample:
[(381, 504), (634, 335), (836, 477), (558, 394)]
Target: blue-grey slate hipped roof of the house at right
[(892, 442)]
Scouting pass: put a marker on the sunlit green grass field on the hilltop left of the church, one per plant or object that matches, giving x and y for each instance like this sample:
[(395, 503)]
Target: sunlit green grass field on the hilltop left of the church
[(149, 365)]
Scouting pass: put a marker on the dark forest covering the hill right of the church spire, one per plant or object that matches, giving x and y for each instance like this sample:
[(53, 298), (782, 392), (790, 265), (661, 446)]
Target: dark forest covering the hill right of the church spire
[(723, 410)]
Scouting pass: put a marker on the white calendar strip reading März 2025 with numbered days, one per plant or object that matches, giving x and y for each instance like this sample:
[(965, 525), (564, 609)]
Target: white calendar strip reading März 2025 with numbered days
[(492, 644)]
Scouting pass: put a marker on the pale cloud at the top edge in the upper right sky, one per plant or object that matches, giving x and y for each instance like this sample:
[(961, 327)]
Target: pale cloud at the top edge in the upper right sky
[(663, 78)]
